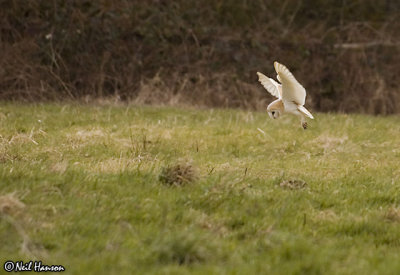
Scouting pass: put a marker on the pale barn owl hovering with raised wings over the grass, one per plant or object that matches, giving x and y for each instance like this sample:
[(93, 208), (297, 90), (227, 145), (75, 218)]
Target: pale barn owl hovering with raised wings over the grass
[(291, 94)]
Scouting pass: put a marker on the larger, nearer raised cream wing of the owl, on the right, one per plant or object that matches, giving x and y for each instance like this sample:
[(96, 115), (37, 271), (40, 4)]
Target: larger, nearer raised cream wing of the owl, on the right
[(292, 90)]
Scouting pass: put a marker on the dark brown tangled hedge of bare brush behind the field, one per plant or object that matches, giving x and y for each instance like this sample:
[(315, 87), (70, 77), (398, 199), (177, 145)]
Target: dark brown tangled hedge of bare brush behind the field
[(206, 53)]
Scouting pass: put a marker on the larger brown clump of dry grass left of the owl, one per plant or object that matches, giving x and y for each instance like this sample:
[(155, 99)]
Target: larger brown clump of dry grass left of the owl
[(178, 174)]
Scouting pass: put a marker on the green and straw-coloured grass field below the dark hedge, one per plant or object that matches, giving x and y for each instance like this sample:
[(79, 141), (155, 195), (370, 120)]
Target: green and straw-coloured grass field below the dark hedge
[(80, 187)]
